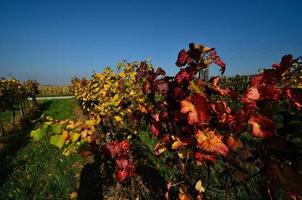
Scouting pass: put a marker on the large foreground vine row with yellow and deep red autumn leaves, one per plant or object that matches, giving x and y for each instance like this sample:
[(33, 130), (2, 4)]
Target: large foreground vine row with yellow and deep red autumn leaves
[(220, 138)]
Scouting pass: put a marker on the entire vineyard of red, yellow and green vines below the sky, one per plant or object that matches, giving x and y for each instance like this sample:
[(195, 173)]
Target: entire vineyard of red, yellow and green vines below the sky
[(153, 136)]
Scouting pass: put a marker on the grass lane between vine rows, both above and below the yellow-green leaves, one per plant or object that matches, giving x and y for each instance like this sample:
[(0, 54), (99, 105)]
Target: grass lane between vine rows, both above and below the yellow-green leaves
[(38, 170)]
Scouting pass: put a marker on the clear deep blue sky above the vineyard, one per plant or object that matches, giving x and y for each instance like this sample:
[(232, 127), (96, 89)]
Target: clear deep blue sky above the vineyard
[(51, 41)]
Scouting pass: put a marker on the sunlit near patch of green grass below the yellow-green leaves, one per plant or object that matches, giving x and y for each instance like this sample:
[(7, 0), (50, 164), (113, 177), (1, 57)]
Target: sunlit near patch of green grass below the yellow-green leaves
[(40, 171)]
